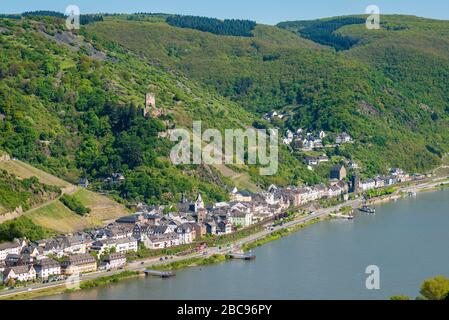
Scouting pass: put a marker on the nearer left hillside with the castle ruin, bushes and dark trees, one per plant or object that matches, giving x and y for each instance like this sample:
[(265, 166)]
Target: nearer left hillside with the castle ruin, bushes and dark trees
[(72, 105)]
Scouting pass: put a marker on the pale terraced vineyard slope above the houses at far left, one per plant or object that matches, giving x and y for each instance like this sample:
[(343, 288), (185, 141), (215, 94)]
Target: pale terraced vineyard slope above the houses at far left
[(37, 193)]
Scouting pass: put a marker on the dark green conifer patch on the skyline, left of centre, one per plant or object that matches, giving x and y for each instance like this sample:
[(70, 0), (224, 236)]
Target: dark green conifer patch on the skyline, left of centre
[(228, 27)]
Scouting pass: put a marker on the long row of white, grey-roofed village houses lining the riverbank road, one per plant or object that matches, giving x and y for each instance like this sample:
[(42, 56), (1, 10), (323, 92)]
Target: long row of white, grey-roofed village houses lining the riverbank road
[(152, 228)]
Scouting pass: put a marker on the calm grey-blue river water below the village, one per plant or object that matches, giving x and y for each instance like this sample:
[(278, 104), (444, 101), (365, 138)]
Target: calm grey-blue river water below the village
[(406, 239)]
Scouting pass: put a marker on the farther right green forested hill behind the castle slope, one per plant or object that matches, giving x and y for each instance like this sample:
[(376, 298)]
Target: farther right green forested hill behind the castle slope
[(392, 102)]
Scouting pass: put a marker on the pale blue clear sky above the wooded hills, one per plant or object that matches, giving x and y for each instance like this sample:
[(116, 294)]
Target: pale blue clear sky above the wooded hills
[(263, 11)]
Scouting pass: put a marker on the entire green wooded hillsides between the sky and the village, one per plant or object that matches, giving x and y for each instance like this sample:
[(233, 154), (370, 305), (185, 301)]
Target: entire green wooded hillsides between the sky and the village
[(72, 103)]
